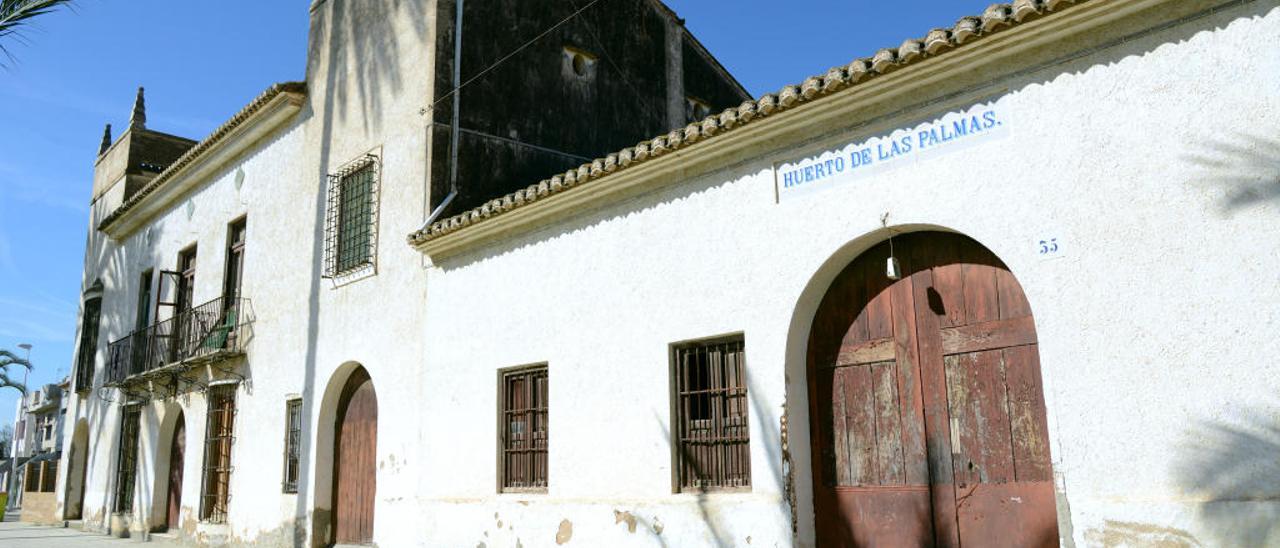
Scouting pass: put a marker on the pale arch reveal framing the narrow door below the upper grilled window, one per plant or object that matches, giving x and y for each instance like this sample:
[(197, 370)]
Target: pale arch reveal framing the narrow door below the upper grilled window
[(326, 446)]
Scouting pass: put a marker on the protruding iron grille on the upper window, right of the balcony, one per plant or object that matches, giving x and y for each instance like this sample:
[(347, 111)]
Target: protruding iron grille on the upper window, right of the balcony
[(351, 221)]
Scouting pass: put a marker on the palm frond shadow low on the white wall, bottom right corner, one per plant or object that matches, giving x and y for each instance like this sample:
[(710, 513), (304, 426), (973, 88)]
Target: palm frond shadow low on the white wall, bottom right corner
[(1236, 471)]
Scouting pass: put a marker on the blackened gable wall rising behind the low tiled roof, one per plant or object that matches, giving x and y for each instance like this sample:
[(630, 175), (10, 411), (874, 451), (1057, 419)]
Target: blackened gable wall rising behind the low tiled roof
[(538, 117)]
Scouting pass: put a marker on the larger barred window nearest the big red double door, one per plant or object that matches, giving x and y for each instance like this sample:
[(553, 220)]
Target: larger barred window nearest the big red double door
[(714, 441)]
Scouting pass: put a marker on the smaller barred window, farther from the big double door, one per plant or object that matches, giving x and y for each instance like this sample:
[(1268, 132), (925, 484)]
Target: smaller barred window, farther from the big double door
[(524, 430)]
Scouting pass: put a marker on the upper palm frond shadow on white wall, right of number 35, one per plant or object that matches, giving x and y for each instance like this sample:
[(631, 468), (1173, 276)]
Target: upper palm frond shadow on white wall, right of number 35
[(1247, 170)]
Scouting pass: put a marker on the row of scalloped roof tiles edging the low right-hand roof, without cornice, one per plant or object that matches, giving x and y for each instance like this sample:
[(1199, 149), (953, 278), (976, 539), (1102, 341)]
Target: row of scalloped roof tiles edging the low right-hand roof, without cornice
[(995, 19)]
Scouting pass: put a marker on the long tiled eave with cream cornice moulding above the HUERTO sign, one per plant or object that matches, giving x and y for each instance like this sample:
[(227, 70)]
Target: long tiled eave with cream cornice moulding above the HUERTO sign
[(917, 68)]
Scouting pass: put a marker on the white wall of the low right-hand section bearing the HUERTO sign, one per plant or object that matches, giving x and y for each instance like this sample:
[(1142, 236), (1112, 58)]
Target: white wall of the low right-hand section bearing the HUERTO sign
[(1155, 322)]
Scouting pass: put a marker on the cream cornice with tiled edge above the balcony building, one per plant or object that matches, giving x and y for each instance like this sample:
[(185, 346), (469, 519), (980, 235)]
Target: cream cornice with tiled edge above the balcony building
[(255, 121)]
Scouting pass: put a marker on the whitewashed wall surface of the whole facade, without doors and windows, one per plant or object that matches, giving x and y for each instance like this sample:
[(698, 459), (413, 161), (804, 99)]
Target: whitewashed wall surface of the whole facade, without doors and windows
[(1155, 323)]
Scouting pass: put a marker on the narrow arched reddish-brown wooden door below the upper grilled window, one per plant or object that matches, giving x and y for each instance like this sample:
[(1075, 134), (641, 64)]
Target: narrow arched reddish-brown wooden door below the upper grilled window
[(355, 462)]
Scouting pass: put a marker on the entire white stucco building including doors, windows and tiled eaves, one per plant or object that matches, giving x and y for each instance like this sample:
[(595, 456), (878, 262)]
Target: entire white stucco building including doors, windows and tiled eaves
[(1012, 282)]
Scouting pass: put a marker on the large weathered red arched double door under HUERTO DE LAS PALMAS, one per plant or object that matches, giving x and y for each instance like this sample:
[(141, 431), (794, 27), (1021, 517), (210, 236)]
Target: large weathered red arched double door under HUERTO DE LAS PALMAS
[(929, 413)]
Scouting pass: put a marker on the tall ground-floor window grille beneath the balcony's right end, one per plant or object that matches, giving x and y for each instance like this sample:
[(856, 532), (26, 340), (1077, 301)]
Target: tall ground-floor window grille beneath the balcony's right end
[(216, 491)]
